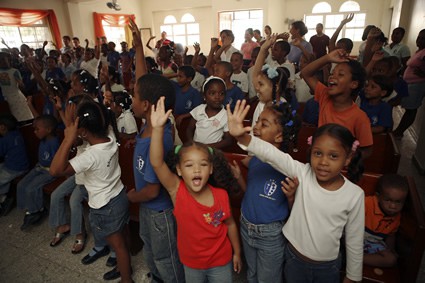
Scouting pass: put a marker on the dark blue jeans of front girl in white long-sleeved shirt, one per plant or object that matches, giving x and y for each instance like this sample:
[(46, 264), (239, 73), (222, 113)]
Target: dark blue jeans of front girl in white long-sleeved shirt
[(297, 270)]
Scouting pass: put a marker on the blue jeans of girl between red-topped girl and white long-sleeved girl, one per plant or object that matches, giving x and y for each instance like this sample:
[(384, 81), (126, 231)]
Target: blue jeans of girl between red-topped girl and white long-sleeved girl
[(263, 246)]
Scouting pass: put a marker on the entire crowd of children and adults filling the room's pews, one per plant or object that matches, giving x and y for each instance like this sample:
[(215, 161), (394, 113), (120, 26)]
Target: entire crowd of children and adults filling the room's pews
[(288, 230)]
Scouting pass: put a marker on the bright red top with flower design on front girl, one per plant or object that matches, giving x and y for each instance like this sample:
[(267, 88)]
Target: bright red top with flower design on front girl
[(202, 239)]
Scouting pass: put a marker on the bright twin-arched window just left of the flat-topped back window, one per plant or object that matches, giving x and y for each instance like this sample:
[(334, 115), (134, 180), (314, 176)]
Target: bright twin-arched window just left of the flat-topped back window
[(186, 32)]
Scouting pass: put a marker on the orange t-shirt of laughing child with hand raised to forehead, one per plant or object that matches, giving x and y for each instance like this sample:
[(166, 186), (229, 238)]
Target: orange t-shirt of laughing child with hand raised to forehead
[(352, 118)]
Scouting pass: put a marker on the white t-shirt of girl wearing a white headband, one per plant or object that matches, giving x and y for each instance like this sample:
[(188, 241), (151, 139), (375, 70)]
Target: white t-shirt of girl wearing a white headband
[(209, 129)]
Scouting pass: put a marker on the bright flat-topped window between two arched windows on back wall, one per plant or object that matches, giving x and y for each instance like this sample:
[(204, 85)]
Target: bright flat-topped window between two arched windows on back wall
[(239, 21)]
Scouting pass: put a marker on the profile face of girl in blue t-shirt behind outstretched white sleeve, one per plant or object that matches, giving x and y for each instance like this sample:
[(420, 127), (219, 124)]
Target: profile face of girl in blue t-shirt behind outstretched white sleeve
[(268, 127)]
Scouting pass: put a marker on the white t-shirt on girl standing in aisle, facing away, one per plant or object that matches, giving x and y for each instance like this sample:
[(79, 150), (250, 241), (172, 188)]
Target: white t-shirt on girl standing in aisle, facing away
[(101, 172)]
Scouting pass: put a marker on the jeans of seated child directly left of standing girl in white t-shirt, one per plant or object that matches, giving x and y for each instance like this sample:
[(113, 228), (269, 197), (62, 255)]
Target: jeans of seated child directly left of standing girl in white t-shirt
[(57, 216)]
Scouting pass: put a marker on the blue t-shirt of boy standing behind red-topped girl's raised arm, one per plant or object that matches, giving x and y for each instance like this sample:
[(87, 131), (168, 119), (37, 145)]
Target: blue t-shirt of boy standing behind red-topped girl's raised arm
[(144, 172)]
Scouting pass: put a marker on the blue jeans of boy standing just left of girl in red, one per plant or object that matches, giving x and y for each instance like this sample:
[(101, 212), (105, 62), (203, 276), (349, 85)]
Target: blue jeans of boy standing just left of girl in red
[(158, 232)]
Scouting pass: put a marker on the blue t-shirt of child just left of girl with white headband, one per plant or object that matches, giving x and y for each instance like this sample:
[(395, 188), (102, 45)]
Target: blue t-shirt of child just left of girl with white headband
[(186, 101)]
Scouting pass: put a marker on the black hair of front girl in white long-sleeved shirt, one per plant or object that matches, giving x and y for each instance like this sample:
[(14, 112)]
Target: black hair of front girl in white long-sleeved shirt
[(341, 133)]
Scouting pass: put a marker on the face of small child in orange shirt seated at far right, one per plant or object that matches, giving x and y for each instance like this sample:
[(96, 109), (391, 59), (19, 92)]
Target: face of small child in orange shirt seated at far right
[(391, 200)]
